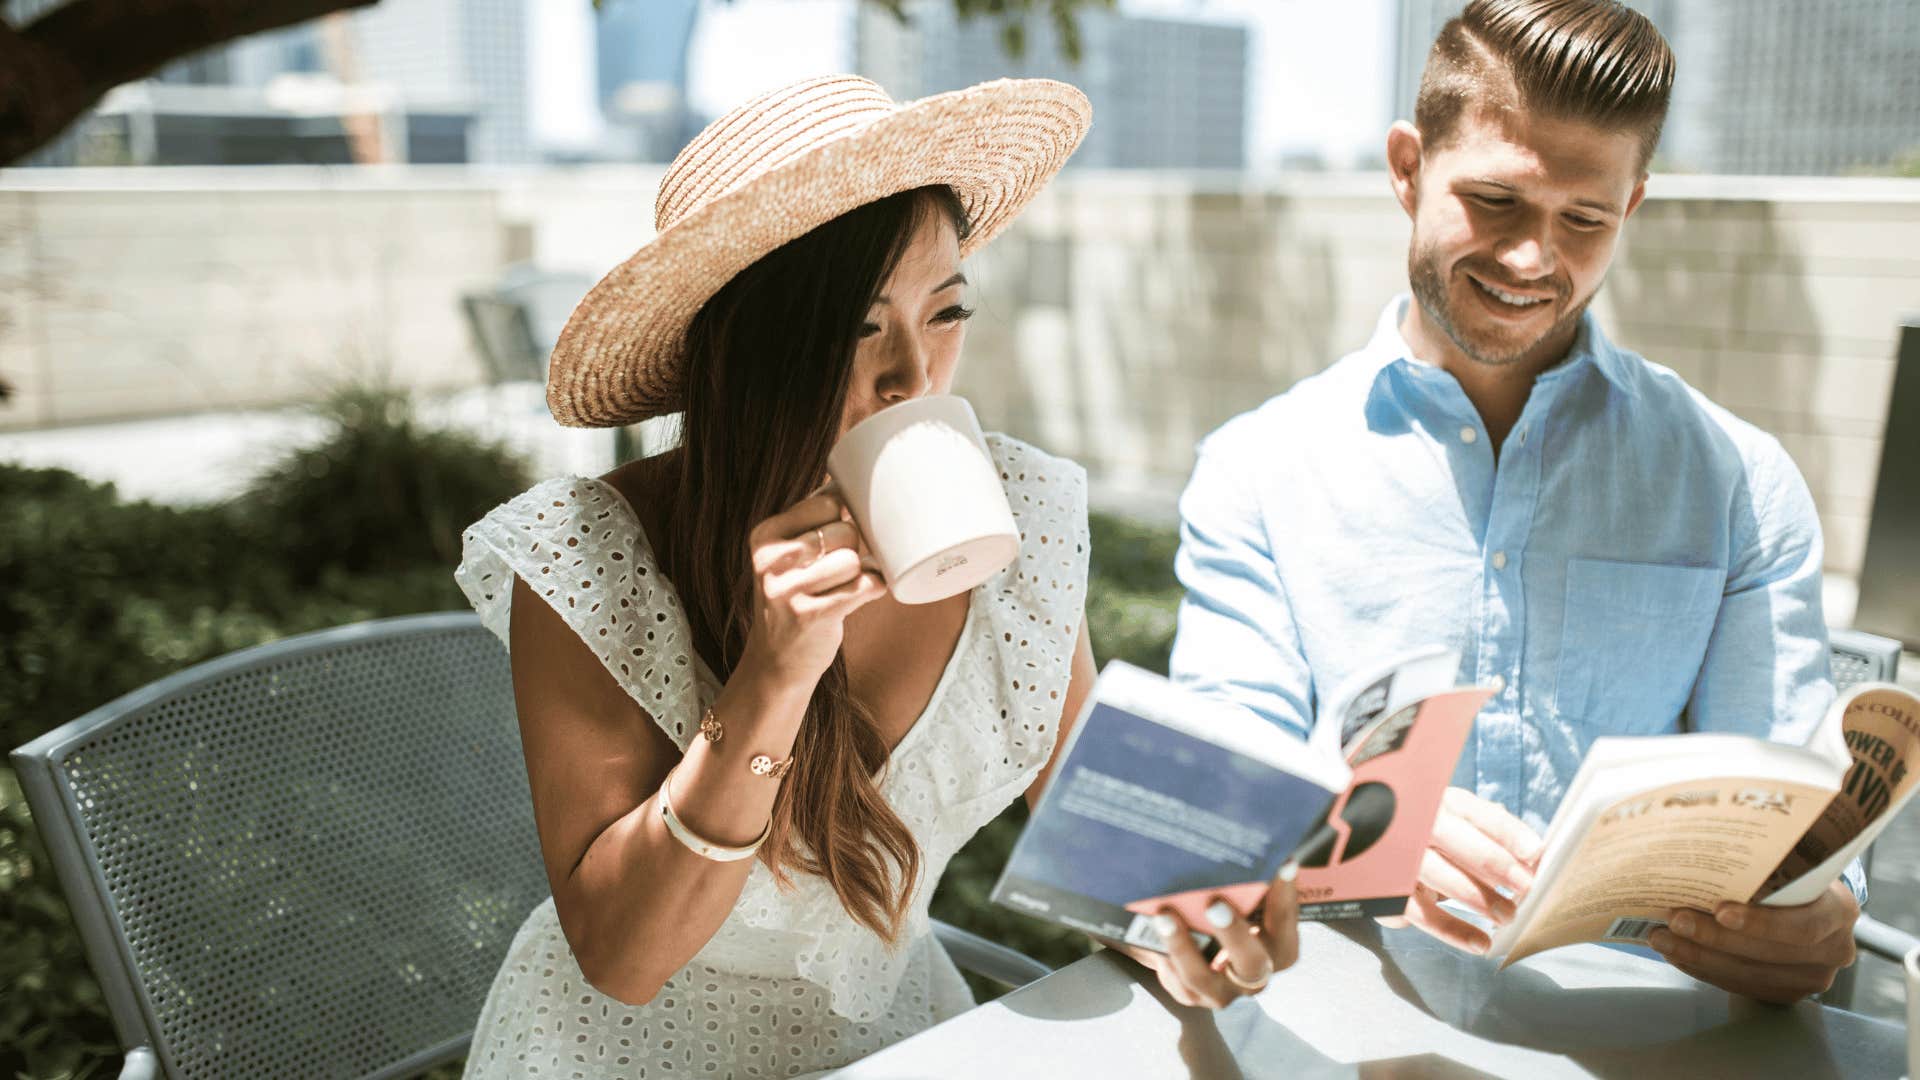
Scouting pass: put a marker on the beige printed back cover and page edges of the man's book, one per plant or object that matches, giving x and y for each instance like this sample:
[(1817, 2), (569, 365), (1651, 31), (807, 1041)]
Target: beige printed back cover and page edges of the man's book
[(1660, 823)]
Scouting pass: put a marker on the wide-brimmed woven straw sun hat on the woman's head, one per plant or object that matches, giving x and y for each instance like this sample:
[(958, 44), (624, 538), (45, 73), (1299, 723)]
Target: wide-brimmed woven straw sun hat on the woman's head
[(775, 170)]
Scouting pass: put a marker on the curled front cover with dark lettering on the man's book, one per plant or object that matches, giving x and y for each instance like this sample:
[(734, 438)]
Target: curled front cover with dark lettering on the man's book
[(1881, 725)]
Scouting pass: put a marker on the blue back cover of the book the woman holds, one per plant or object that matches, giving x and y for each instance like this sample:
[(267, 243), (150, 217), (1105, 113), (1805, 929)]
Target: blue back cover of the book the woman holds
[(1164, 798)]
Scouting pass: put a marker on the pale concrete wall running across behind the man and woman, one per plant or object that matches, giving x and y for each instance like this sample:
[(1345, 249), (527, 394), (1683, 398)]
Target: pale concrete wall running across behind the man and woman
[(1122, 318)]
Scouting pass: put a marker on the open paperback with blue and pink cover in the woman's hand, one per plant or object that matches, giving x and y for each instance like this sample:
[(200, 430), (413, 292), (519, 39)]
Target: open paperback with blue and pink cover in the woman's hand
[(1170, 798)]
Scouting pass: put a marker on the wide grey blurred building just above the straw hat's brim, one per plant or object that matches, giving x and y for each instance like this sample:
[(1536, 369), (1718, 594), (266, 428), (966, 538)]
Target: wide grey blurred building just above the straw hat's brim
[(1166, 93)]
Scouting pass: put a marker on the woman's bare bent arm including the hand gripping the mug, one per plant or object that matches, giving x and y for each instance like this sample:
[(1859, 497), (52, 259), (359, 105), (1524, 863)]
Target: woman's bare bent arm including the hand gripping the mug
[(635, 902)]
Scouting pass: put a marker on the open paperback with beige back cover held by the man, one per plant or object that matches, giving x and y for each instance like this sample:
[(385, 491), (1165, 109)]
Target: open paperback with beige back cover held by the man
[(1658, 823)]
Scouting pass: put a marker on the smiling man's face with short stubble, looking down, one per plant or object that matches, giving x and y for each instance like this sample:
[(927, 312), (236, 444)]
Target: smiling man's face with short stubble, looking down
[(1514, 230)]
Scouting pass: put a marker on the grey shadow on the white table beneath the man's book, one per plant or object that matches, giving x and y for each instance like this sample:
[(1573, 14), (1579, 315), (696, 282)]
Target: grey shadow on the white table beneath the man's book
[(1627, 1029)]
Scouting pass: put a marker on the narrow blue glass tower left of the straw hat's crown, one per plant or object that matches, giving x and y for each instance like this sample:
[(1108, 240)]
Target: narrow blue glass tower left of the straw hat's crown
[(642, 51)]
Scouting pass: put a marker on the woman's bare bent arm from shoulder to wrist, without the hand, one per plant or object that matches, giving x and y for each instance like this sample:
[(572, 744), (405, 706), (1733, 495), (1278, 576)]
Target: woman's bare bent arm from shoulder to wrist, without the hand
[(635, 902)]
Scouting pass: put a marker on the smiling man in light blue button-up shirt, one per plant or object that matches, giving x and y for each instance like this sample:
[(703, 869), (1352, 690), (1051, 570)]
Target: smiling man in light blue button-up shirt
[(1612, 552)]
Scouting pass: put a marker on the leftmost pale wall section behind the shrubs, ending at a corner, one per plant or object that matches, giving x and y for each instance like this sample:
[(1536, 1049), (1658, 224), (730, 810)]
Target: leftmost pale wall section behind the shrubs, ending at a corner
[(130, 293)]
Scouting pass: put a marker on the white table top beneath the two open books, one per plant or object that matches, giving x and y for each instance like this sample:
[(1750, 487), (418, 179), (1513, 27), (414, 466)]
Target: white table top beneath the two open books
[(1387, 1004)]
